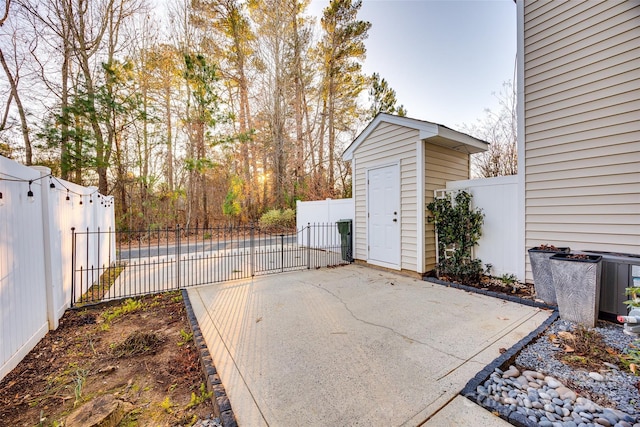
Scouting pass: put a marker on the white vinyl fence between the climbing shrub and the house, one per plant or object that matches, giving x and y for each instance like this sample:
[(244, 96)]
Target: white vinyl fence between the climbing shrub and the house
[(498, 199)]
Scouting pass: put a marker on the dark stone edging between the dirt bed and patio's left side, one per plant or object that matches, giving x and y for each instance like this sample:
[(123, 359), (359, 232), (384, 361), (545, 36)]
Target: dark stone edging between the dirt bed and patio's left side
[(221, 405)]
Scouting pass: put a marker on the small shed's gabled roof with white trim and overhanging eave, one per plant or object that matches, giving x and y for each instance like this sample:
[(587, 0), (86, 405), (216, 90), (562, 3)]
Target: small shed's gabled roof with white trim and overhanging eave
[(431, 132)]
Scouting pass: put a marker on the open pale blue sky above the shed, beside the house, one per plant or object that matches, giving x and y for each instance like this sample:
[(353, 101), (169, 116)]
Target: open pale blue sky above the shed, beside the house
[(444, 58)]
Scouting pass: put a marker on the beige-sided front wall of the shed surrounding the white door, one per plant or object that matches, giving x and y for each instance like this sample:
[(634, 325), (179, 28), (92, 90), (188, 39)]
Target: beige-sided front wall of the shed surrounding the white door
[(387, 144)]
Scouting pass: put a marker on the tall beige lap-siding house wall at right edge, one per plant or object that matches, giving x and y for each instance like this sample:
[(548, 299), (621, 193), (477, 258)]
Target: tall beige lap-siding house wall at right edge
[(582, 124)]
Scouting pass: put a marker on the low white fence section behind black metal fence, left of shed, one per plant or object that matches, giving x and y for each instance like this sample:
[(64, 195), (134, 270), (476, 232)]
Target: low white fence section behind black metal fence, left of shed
[(327, 211)]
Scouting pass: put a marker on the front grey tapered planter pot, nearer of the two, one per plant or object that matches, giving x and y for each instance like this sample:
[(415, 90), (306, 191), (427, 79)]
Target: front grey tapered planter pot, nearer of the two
[(577, 285)]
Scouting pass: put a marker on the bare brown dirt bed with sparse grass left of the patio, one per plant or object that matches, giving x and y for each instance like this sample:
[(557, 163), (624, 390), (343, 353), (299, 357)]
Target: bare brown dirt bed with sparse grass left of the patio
[(141, 351)]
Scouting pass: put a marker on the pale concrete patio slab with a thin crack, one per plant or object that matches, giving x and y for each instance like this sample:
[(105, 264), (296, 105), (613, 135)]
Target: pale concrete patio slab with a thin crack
[(354, 346)]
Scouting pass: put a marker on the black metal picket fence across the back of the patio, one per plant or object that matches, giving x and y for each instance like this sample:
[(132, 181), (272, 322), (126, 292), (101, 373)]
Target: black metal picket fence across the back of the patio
[(112, 265)]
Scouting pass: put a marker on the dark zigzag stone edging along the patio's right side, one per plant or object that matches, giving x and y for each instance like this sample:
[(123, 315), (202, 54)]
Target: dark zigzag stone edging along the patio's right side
[(469, 390)]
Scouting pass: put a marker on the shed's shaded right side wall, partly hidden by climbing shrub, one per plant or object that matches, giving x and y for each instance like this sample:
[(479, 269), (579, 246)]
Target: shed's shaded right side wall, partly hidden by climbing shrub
[(441, 165)]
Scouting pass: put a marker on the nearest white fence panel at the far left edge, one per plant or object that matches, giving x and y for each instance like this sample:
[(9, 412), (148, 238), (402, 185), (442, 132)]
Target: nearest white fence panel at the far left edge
[(23, 297)]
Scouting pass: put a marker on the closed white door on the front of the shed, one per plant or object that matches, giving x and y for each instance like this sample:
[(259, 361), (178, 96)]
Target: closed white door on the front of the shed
[(383, 194)]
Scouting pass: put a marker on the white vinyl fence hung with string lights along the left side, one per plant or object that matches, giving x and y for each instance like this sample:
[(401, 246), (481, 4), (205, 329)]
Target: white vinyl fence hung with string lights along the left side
[(35, 251)]
